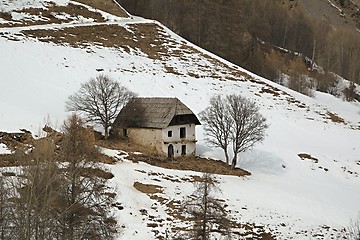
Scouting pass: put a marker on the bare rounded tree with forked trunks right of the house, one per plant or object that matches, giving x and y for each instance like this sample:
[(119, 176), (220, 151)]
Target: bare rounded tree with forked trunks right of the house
[(233, 120)]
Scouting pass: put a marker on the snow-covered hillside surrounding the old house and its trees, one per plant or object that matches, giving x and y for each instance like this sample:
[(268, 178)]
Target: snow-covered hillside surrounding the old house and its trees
[(41, 64)]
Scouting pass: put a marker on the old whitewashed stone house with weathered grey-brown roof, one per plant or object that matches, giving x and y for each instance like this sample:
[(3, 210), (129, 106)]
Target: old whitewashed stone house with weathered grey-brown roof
[(164, 124)]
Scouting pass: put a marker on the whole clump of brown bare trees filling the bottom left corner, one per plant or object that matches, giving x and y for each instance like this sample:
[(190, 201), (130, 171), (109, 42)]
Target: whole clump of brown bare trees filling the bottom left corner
[(61, 194)]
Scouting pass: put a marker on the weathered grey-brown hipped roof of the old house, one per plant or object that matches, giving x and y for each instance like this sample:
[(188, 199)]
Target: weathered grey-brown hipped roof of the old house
[(154, 113)]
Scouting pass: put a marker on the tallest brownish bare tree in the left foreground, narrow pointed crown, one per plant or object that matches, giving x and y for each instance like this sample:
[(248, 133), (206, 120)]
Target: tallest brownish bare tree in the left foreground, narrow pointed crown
[(84, 205)]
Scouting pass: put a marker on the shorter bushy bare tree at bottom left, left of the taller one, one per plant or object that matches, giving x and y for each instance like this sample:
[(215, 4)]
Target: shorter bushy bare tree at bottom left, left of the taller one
[(31, 194)]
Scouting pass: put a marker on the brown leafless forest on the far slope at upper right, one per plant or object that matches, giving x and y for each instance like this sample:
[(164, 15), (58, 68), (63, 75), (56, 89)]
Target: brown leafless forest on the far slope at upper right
[(258, 36)]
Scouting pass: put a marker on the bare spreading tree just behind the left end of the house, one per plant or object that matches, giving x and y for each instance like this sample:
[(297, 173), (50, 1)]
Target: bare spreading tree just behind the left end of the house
[(100, 100)]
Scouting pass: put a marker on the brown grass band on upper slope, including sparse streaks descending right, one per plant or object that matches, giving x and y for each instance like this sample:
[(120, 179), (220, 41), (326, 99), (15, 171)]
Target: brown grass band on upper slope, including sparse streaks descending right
[(149, 38)]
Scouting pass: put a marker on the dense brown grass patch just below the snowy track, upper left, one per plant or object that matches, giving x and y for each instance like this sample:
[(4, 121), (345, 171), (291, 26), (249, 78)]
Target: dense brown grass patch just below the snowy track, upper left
[(145, 37)]
